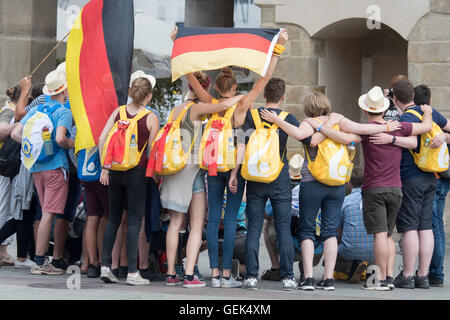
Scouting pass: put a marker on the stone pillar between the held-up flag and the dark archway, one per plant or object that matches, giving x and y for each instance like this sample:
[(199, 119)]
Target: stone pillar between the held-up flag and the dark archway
[(298, 66)]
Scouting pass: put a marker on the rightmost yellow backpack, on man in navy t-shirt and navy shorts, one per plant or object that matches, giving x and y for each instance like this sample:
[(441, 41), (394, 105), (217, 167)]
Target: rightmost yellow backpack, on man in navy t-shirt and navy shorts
[(429, 159)]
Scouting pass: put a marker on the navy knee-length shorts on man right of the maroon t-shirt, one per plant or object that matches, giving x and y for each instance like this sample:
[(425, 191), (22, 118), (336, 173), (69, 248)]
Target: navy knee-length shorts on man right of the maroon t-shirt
[(416, 211)]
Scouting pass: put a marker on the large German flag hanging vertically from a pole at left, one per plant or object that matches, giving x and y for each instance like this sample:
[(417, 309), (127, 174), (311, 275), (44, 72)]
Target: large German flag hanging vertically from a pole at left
[(98, 63)]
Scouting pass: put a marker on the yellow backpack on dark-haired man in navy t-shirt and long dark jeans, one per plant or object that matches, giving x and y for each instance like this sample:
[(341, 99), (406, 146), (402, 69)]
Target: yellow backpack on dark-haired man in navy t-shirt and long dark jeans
[(262, 154)]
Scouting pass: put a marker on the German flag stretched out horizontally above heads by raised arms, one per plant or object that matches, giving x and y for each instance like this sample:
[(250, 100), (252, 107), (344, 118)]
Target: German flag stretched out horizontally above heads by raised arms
[(197, 49)]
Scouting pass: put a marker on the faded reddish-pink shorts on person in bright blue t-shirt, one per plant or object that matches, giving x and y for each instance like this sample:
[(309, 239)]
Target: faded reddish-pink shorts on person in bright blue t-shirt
[(52, 187)]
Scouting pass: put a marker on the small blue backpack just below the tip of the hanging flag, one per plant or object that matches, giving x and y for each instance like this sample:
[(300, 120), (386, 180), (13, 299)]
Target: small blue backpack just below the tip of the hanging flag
[(89, 167)]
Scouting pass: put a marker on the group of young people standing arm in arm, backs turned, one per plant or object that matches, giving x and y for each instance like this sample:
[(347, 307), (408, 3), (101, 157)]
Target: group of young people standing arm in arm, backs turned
[(392, 181)]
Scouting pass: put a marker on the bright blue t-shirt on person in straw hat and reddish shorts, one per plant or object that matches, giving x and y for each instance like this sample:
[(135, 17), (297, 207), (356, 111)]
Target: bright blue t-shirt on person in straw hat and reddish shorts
[(62, 117)]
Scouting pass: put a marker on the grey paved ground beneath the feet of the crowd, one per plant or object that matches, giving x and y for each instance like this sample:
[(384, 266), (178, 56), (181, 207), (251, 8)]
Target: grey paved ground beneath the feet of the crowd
[(20, 284)]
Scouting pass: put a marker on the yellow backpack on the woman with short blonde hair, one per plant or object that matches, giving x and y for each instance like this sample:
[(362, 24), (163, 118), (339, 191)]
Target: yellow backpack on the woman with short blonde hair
[(331, 163)]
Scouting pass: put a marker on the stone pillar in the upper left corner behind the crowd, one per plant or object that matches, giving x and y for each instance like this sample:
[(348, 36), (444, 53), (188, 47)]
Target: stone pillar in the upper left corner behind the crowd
[(27, 34)]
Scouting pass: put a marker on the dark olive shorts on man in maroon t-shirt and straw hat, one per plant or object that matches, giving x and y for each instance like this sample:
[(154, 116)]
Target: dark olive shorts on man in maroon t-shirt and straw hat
[(380, 208)]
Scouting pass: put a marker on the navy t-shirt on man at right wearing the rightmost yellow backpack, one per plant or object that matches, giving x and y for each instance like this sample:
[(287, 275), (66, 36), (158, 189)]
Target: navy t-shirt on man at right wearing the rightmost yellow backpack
[(408, 167)]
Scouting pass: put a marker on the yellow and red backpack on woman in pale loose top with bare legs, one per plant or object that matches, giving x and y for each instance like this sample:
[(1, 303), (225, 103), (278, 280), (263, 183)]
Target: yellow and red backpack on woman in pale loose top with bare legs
[(167, 155)]
